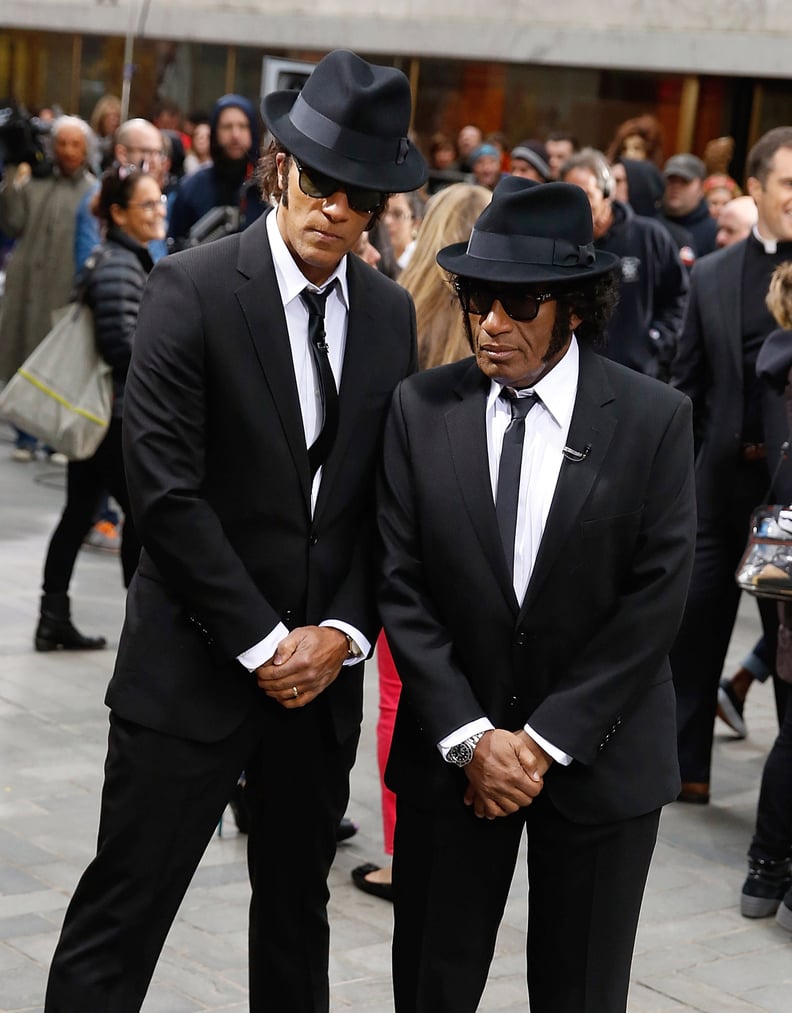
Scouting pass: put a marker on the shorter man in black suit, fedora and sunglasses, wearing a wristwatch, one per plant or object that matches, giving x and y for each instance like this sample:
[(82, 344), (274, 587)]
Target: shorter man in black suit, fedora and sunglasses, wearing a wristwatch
[(531, 596)]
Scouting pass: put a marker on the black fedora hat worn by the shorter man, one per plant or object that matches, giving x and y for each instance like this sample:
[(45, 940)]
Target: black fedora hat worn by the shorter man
[(531, 233)]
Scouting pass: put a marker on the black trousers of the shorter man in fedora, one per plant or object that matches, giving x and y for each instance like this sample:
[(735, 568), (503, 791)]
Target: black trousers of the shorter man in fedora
[(452, 874)]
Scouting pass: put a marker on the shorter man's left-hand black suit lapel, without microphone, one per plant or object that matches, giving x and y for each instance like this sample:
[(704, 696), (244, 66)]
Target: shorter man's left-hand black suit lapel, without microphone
[(466, 428)]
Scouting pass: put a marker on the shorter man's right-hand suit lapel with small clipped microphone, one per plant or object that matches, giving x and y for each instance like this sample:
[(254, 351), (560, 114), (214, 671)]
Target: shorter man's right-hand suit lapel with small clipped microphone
[(593, 427)]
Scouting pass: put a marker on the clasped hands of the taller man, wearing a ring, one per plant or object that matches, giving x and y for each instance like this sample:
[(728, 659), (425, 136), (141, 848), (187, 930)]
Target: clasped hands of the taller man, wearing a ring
[(304, 665)]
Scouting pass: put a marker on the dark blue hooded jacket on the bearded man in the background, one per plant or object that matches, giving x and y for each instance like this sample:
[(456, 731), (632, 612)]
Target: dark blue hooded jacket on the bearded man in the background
[(225, 183)]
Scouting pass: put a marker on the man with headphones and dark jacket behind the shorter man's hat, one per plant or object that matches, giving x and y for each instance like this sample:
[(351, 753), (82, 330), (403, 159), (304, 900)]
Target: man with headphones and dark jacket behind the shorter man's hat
[(644, 331)]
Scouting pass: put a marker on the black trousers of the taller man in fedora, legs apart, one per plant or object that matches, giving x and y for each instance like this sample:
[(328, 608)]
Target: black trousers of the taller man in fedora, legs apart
[(162, 804)]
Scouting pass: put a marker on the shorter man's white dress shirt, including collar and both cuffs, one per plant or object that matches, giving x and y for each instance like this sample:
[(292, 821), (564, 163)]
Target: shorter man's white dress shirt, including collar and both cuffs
[(547, 429)]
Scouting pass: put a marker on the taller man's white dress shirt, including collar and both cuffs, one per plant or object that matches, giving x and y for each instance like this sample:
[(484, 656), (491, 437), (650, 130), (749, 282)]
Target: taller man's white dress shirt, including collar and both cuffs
[(291, 283)]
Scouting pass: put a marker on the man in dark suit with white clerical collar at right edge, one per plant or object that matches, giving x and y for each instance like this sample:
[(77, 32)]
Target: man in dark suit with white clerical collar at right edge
[(735, 419)]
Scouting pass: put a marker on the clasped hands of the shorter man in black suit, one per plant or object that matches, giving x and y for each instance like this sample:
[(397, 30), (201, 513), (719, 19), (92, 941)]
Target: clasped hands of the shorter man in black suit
[(506, 773)]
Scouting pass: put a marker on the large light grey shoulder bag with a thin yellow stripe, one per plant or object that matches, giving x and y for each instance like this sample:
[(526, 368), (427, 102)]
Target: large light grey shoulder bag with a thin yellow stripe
[(63, 392)]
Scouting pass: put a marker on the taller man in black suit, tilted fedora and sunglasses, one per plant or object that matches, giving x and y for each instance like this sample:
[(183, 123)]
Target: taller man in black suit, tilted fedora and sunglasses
[(254, 424)]
